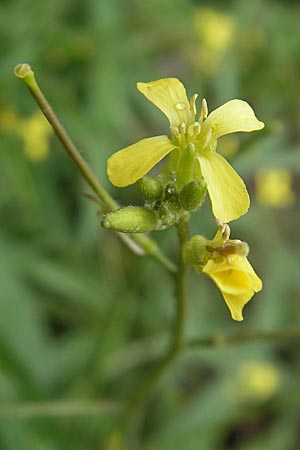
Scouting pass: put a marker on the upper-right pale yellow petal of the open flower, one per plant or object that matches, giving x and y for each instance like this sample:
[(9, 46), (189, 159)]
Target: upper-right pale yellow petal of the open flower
[(233, 116)]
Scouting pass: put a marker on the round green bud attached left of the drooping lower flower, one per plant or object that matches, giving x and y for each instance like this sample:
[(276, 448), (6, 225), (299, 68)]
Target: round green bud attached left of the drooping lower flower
[(195, 253)]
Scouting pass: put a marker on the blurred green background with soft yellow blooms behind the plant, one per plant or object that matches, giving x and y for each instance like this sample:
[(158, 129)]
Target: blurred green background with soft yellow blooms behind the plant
[(80, 316)]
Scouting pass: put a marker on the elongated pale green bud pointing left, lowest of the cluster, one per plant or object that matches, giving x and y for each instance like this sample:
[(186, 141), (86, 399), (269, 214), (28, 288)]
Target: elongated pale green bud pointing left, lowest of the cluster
[(131, 219)]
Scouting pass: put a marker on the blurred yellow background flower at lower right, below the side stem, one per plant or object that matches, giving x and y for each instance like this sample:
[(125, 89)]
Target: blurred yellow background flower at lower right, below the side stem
[(257, 380)]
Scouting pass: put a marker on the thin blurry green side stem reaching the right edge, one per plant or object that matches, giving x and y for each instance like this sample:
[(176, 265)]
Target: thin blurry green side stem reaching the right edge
[(221, 339)]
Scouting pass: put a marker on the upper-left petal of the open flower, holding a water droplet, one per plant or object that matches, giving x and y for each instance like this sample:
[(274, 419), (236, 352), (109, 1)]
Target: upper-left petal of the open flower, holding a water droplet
[(169, 95)]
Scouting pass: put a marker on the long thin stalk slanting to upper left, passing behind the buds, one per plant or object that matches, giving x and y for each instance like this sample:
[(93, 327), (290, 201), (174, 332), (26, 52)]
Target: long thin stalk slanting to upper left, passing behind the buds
[(26, 74)]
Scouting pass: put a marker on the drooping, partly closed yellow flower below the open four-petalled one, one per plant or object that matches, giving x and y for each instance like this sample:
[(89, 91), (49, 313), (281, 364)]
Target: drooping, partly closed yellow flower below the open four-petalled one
[(231, 271)]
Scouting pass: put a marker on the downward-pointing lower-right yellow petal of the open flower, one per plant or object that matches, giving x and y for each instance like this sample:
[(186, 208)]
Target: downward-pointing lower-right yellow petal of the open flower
[(227, 191)]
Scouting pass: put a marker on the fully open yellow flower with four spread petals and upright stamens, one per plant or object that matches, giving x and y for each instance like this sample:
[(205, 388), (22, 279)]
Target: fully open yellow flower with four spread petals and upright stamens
[(227, 191)]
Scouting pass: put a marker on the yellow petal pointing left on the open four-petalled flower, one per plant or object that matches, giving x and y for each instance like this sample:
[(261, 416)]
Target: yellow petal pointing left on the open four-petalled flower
[(131, 163)]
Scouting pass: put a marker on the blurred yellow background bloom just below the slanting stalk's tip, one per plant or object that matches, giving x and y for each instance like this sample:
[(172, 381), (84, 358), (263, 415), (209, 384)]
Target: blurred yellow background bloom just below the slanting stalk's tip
[(35, 132)]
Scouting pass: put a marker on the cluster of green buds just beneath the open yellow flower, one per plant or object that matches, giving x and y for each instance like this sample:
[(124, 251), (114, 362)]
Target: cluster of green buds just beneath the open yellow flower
[(164, 204)]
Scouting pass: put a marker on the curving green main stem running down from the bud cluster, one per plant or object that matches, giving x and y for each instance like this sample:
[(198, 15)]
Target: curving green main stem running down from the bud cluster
[(137, 405)]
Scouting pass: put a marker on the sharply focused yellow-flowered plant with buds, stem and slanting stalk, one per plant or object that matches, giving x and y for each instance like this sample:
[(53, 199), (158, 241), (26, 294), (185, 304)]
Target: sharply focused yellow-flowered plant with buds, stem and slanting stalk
[(193, 168)]
